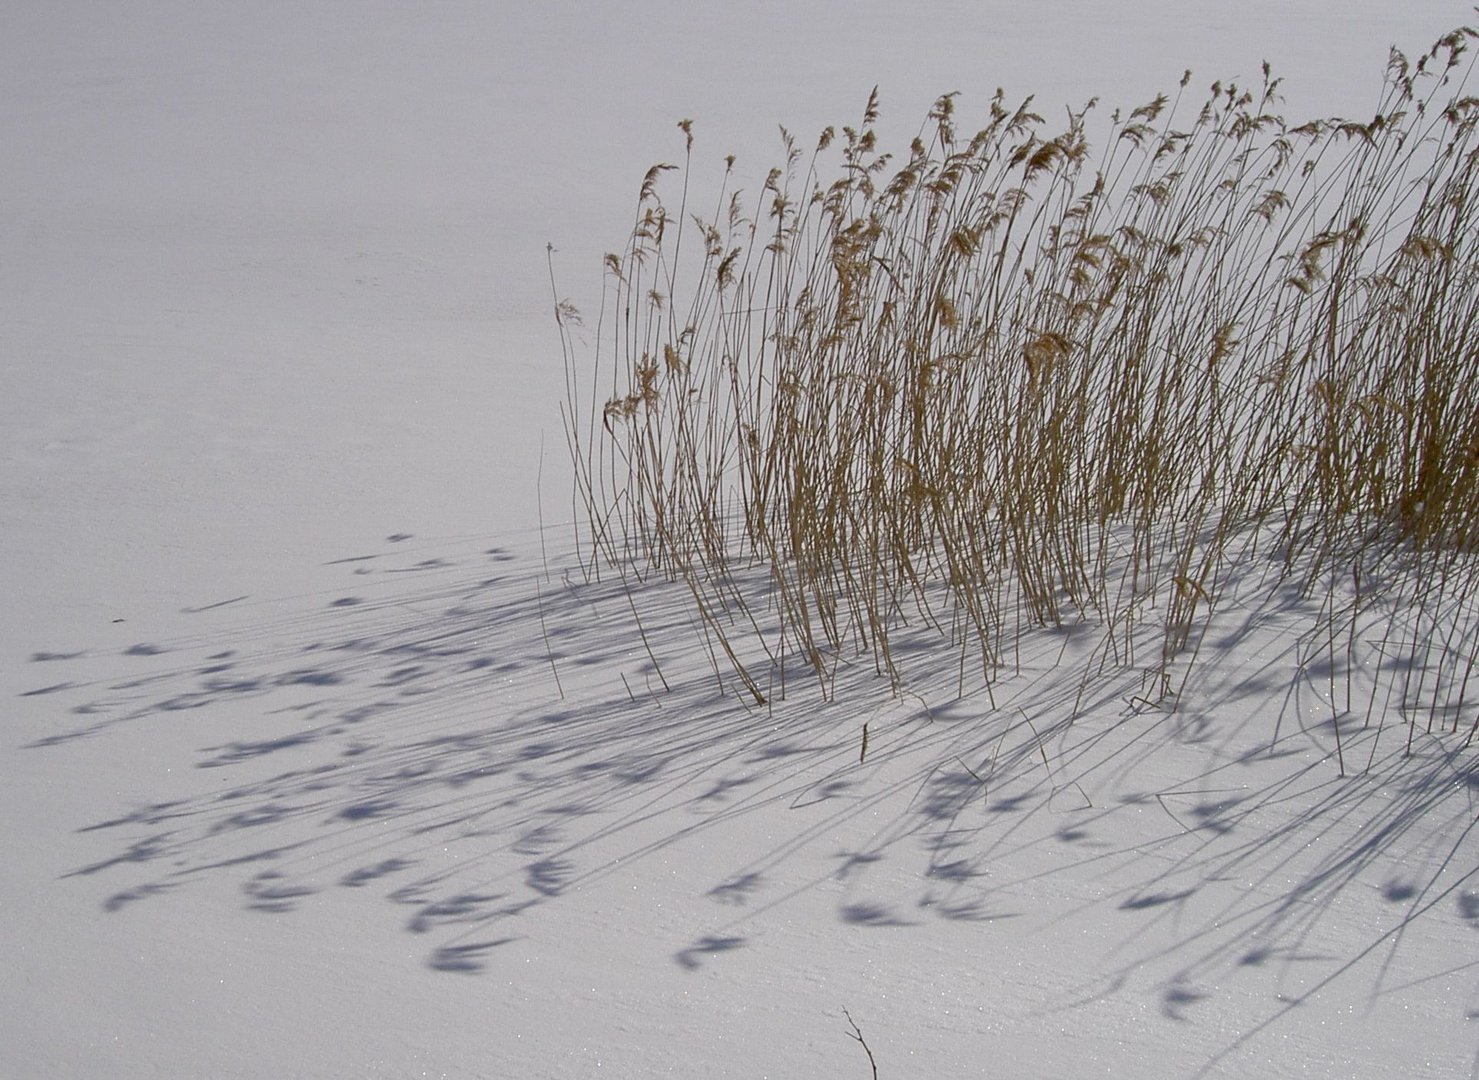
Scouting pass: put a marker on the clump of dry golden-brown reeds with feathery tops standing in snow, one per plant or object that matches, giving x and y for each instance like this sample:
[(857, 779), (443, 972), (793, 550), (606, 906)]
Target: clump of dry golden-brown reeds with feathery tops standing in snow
[(1030, 377)]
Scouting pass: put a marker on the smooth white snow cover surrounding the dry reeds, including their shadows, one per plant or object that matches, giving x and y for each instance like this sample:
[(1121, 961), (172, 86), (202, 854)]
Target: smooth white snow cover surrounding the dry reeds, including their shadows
[(289, 783)]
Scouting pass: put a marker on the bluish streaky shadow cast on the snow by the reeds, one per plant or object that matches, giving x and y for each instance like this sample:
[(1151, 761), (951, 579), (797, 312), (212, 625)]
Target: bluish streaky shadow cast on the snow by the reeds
[(412, 746)]
